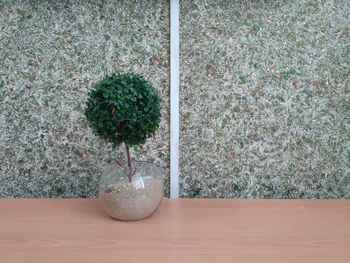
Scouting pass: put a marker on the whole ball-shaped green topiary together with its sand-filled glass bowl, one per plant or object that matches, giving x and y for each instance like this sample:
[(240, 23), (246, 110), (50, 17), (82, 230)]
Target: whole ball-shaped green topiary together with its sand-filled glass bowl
[(125, 109)]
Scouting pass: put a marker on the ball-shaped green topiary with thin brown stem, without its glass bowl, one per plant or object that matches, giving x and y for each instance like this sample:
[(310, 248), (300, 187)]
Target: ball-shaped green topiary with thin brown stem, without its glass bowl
[(123, 108)]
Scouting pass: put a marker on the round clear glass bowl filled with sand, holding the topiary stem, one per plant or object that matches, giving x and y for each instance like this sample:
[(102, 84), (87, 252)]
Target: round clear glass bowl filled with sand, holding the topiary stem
[(135, 200)]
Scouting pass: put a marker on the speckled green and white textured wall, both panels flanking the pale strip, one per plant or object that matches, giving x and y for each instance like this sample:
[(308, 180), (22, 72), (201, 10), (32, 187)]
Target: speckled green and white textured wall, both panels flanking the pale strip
[(264, 94)]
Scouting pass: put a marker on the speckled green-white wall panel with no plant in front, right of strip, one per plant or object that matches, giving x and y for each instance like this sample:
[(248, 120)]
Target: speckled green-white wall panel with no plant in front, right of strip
[(265, 99)]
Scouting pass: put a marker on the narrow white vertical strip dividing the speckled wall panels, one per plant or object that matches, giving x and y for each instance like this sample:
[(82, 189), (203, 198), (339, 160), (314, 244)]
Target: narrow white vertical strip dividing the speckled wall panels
[(174, 97)]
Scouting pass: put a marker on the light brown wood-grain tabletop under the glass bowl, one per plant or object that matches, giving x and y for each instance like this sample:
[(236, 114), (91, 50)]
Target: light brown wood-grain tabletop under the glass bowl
[(184, 230)]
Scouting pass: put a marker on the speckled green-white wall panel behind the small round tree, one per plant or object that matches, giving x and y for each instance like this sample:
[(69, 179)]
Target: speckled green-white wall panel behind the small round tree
[(51, 55)]
